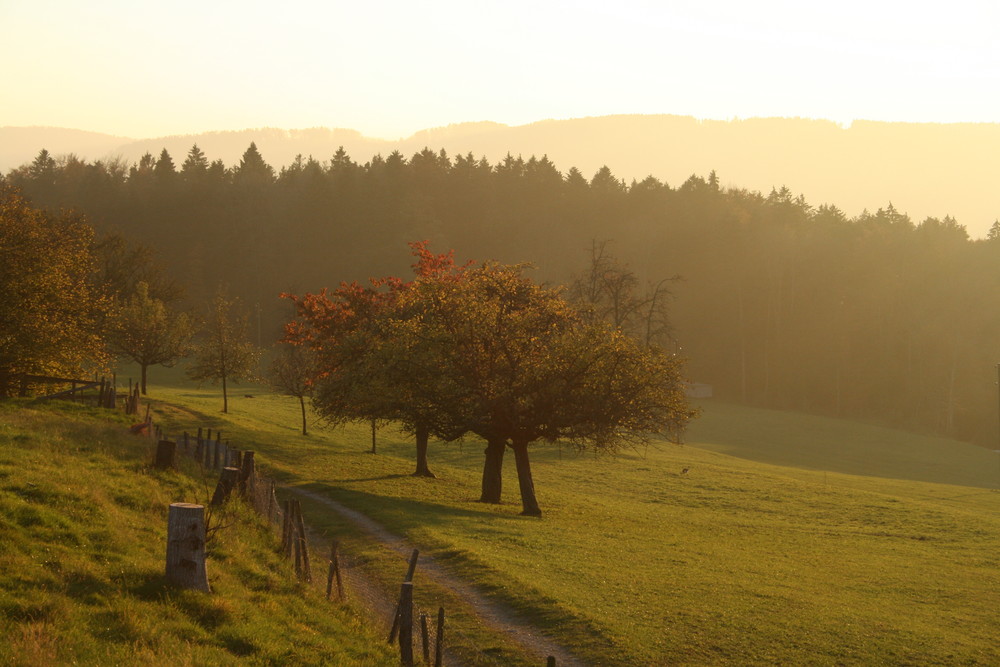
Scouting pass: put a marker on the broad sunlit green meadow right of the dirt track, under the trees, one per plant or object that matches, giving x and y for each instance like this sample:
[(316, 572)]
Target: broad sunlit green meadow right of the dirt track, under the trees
[(791, 539)]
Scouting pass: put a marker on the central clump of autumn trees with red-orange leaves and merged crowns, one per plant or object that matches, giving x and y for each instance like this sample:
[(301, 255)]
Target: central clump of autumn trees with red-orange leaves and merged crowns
[(486, 351)]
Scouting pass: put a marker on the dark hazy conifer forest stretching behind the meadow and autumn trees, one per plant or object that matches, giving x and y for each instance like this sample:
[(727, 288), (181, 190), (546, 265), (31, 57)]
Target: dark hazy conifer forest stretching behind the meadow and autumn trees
[(781, 303)]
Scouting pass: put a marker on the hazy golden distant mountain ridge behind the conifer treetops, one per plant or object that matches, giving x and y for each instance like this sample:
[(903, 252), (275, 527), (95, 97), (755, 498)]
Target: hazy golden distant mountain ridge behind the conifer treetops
[(923, 169)]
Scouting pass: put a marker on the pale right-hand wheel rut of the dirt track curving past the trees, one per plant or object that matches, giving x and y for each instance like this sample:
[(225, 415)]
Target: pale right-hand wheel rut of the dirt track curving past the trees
[(490, 613)]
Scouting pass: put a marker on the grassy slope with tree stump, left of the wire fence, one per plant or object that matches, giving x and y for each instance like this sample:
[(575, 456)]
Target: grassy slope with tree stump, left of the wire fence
[(82, 544)]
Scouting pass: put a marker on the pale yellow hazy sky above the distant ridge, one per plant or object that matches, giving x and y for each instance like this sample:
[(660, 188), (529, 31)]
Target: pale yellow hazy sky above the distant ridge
[(148, 69)]
